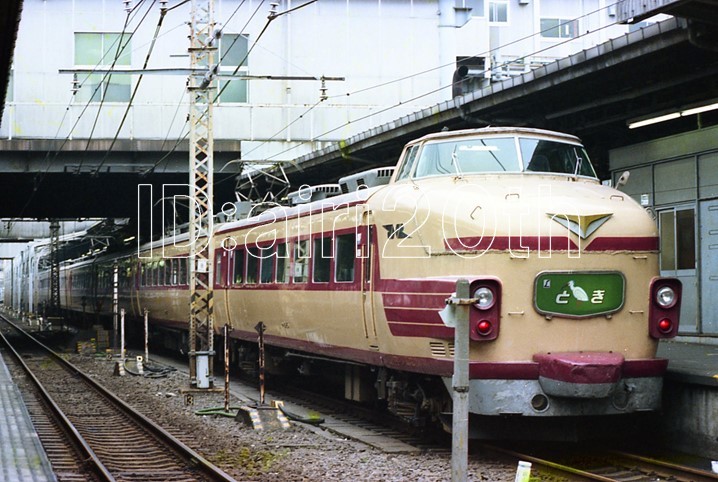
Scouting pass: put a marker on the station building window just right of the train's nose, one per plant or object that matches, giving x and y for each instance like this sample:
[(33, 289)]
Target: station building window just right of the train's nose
[(678, 239)]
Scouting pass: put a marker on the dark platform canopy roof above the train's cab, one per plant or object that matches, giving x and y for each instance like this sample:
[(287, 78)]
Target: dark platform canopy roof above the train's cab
[(592, 94)]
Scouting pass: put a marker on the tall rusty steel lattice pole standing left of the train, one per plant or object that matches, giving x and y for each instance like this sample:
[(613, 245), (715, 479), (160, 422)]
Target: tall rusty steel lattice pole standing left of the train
[(201, 164)]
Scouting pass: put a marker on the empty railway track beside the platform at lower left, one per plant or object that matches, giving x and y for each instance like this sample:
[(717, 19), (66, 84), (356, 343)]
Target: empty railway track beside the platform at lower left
[(92, 434)]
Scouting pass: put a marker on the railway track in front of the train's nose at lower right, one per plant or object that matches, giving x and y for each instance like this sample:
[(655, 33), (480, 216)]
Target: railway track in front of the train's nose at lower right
[(609, 466)]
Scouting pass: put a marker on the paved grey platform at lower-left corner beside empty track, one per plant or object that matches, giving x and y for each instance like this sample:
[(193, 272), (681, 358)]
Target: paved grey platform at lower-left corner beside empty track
[(22, 457)]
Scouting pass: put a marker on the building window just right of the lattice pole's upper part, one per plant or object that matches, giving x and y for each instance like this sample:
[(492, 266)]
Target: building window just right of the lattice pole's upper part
[(233, 50)]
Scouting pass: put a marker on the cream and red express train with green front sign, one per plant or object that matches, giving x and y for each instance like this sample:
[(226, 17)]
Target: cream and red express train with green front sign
[(569, 306)]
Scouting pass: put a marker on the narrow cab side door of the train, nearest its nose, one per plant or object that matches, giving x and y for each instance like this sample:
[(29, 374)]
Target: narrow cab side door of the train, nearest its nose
[(365, 244)]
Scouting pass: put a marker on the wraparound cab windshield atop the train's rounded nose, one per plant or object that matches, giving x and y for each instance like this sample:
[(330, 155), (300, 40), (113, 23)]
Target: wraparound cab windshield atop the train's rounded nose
[(497, 155)]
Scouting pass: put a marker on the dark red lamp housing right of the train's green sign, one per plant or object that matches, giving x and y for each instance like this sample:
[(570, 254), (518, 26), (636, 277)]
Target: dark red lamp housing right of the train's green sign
[(664, 307)]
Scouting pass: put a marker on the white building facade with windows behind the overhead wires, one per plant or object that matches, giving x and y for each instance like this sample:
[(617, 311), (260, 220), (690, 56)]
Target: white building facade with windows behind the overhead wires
[(395, 57)]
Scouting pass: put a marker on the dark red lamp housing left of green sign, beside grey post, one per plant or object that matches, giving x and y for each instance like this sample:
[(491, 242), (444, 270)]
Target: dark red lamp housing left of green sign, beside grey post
[(485, 312)]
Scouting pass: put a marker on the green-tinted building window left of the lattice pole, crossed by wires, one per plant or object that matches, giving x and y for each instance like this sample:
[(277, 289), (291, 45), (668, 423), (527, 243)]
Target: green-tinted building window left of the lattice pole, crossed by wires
[(101, 50)]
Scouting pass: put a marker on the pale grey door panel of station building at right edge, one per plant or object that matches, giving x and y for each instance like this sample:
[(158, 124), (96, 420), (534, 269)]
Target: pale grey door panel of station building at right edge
[(709, 265)]
